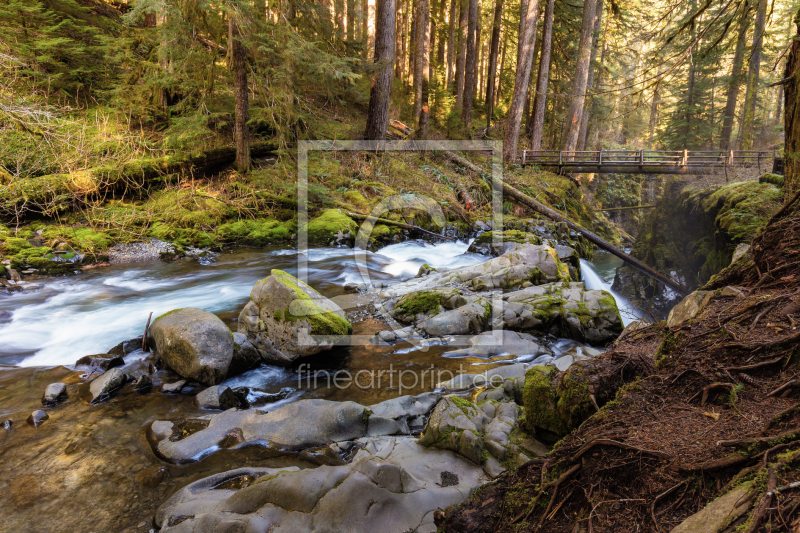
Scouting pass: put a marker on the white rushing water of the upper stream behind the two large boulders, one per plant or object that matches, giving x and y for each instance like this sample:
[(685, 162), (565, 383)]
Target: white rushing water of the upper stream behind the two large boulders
[(56, 321)]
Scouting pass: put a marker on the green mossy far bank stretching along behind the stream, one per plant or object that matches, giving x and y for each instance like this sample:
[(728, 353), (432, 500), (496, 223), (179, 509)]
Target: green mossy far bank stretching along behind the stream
[(258, 208)]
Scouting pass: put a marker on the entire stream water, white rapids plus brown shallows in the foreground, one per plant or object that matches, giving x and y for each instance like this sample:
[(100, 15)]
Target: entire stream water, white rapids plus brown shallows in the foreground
[(90, 467)]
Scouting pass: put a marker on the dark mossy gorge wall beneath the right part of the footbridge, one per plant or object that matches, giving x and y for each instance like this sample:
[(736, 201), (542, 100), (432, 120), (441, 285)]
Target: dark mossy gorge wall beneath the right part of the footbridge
[(695, 231)]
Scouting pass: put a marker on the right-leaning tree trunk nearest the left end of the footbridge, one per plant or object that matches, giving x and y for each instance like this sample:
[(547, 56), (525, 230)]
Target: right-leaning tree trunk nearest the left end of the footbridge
[(521, 83)]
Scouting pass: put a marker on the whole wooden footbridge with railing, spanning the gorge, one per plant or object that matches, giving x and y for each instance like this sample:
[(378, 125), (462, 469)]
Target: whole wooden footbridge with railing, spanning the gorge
[(649, 161)]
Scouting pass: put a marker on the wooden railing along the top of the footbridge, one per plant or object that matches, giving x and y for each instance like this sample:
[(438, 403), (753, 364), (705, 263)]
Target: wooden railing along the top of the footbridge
[(673, 158)]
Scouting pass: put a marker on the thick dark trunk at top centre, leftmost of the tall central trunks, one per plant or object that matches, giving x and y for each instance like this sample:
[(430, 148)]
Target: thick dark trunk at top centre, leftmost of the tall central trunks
[(378, 109)]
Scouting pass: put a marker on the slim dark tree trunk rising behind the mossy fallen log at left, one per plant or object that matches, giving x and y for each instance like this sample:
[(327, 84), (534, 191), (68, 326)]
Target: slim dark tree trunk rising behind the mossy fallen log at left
[(239, 66)]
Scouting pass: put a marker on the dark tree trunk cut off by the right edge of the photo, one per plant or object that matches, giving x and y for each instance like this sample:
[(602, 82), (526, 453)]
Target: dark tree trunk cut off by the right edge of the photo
[(791, 122)]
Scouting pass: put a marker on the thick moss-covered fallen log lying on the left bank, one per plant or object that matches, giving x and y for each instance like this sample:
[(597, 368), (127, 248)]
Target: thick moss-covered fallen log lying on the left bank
[(56, 193)]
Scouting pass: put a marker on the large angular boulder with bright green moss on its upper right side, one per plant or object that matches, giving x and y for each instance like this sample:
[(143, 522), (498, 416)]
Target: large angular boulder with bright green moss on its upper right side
[(284, 315)]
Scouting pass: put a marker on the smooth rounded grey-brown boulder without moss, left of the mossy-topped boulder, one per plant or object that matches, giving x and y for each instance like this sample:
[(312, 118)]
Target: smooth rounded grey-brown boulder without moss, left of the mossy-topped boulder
[(194, 343)]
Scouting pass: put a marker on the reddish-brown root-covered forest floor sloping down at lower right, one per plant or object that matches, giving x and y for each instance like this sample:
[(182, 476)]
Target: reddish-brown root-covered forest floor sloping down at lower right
[(717, 409)]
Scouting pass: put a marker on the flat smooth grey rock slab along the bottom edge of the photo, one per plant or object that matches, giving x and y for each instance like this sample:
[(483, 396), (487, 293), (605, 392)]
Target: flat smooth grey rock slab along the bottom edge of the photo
[(393, 485)]
